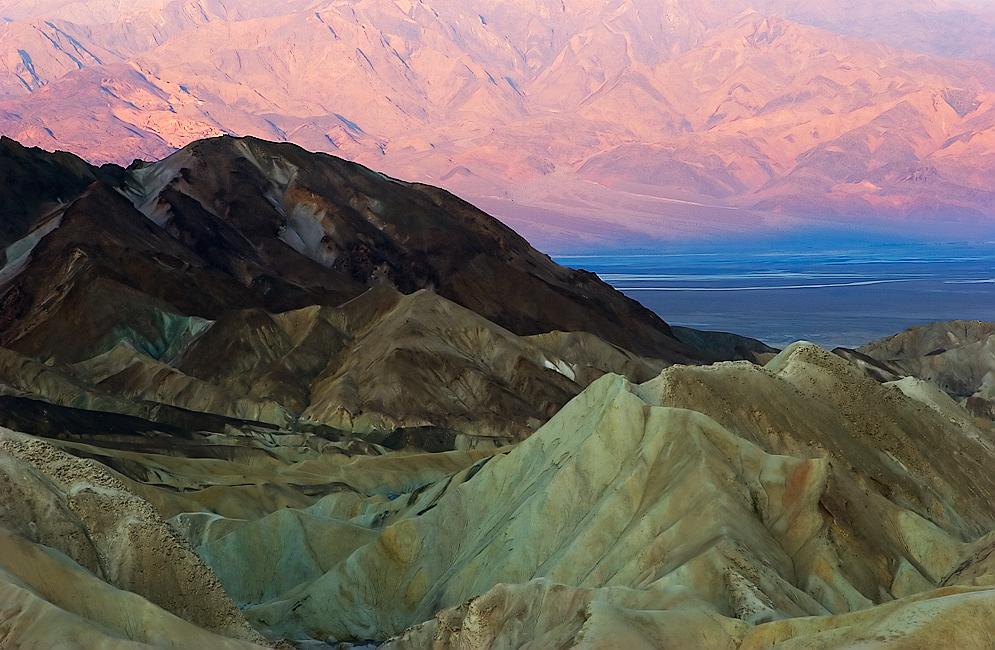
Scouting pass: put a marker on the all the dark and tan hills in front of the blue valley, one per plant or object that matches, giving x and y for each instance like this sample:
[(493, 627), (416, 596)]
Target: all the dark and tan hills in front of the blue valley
[(253, 396)]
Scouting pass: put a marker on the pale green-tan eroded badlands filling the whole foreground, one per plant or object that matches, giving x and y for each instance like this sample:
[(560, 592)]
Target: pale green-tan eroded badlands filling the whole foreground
[(796, 505)]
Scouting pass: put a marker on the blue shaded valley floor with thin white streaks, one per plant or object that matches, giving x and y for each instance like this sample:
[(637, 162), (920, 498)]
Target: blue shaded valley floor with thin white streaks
[(833, 294)]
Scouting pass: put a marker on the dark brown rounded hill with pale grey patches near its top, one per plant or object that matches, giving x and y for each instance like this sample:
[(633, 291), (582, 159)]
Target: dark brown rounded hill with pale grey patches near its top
[(234, 223)]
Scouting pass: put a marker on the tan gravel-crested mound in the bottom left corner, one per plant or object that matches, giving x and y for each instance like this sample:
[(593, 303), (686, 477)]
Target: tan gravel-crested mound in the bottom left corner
[(109, 566)]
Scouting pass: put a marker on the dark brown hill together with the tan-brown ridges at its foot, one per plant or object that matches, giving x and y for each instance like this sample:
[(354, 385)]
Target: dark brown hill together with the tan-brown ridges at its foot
[(252, 281)]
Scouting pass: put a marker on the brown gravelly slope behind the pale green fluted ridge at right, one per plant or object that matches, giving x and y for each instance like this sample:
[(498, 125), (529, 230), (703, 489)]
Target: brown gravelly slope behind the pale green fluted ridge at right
[(810, 403)]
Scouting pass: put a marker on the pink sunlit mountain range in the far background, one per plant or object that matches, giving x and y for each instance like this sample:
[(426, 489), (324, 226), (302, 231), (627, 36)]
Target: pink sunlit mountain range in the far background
[(577, 122)]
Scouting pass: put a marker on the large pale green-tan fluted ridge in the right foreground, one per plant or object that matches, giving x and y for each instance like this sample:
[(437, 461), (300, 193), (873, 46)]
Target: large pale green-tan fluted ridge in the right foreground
[(801, 504)]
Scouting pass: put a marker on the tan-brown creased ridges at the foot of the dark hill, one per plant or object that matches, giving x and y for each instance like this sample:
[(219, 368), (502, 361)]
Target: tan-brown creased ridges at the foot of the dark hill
[(397, 369)]
